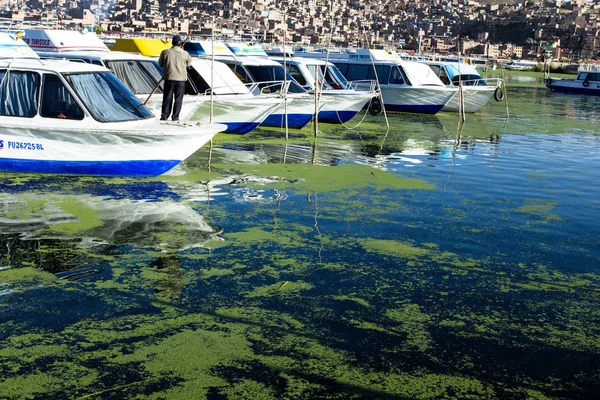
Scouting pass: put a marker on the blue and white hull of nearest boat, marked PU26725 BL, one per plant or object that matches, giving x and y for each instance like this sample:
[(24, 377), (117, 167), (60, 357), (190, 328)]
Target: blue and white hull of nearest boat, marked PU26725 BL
[(128, 150)]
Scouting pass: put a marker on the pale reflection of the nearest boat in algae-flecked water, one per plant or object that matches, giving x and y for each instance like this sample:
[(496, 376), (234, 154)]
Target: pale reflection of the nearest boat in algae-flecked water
[(75, 231)]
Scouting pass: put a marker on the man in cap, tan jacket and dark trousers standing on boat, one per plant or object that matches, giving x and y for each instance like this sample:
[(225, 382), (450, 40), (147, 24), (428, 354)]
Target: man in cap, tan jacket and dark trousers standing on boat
[(174, 62)]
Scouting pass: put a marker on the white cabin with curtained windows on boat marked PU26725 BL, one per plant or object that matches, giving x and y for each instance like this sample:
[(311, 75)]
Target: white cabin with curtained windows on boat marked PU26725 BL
[(55, 89)]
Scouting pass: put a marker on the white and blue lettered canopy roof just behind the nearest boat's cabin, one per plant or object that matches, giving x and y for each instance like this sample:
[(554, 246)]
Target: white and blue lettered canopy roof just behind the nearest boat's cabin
[(62, 40)]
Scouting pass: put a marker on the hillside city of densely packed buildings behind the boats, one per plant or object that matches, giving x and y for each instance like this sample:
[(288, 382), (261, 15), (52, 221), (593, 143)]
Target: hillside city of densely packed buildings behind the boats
[(565, 30)]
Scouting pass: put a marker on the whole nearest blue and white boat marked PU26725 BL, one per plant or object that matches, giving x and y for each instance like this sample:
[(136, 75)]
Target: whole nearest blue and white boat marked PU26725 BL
[(61, 117)]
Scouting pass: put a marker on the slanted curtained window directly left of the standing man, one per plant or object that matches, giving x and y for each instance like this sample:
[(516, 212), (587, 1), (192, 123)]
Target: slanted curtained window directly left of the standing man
[(139, 76)]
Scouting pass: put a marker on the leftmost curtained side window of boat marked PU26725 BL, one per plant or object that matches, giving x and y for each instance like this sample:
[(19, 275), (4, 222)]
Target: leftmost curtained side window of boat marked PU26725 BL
[(18, 93)]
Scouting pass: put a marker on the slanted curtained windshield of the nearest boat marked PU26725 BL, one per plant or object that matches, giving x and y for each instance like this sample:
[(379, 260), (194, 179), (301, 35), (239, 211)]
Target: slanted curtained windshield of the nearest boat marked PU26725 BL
[(106, 97)]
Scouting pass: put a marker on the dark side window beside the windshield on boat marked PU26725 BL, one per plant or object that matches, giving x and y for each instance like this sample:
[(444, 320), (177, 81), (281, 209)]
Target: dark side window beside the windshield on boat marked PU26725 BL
[(57, 101)]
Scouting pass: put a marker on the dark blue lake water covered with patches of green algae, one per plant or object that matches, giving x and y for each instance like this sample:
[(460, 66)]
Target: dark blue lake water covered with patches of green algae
[(420, 262)]
